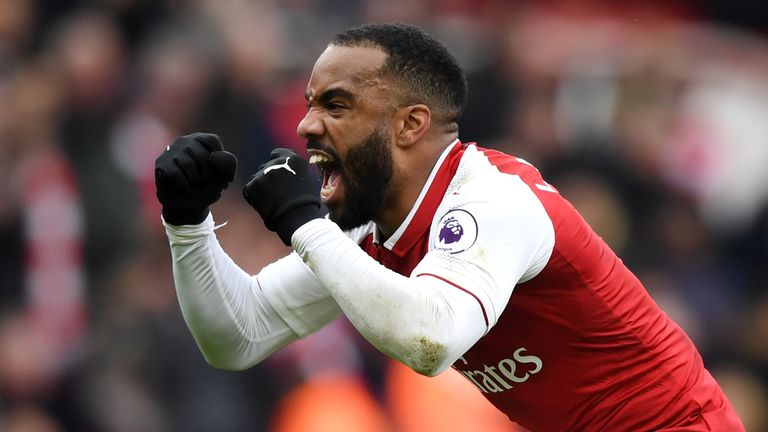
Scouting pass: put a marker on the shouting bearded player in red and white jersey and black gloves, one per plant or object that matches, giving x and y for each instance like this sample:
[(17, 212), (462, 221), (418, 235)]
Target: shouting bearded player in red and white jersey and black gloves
[(442, 254)]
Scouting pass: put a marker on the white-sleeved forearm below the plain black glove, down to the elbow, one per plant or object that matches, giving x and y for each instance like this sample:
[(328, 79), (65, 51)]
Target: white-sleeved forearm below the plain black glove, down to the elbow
[(233, 325)]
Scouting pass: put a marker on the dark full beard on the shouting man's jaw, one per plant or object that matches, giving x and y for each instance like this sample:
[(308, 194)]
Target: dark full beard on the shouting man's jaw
[(366, 173)]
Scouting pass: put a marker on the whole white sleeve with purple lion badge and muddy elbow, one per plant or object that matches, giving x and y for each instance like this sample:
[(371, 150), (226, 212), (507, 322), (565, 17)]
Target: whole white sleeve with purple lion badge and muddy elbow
[(453, 296)]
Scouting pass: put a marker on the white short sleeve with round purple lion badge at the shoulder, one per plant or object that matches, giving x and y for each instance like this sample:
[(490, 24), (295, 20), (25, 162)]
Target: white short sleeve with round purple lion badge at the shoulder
[(506, 239)]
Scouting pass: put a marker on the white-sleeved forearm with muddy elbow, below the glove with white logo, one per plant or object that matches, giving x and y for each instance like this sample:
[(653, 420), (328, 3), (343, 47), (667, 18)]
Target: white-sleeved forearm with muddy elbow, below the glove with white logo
[(421, 322)]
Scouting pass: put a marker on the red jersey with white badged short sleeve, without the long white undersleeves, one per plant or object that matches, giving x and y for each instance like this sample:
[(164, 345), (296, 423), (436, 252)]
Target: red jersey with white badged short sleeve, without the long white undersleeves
[(580, 344)]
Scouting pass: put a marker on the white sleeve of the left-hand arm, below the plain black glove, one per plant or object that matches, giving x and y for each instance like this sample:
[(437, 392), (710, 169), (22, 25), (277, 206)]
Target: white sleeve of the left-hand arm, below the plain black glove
[(238, 319)]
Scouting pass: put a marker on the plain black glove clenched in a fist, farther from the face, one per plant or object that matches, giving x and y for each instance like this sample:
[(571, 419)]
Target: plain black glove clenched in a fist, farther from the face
[(190, 175)]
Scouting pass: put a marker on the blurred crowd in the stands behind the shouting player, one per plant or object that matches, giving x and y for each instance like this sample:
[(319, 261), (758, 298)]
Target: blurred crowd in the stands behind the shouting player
[(651, 117)]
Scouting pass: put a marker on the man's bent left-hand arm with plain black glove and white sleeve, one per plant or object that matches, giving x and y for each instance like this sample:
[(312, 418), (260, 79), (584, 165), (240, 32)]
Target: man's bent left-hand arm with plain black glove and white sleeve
[(237, 319)]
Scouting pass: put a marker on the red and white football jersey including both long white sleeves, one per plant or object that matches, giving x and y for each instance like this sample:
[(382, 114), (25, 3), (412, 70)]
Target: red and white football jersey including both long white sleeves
[(492, 271)]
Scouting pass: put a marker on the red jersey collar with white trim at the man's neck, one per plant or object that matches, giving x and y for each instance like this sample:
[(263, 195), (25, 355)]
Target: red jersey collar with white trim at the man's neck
[(420, 217)]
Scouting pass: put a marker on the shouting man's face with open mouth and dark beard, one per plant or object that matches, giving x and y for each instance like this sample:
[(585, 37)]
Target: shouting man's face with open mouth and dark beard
[(348, 132)]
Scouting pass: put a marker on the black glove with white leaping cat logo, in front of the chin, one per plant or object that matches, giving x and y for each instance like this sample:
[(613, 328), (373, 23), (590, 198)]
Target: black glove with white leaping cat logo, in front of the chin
[(284, 193)]
